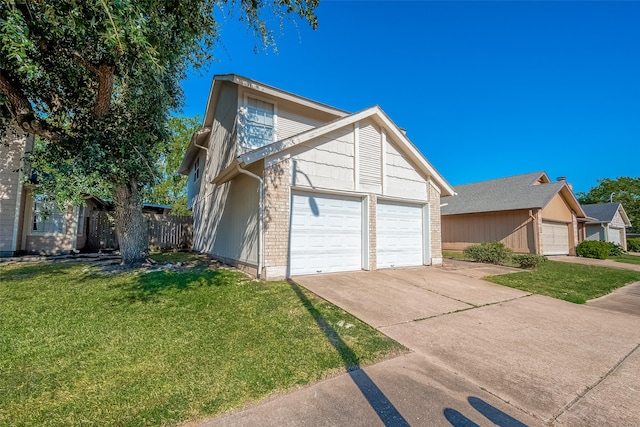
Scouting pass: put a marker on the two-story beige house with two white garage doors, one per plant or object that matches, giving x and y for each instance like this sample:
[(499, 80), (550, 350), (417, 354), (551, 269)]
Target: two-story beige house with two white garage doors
[(281, 185)]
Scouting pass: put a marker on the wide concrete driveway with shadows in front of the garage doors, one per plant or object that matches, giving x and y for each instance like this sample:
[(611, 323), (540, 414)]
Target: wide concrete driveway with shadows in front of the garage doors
[(482, 354)]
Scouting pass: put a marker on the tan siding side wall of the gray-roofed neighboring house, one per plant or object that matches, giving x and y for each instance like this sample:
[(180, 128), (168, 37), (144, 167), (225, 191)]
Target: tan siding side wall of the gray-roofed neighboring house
[(513, 228)]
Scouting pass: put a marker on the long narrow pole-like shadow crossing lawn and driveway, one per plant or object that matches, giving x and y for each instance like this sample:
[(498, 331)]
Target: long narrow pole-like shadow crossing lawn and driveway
[(385, 410)]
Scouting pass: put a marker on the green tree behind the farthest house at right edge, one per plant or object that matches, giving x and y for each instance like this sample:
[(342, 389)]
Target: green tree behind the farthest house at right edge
[(626, 190)]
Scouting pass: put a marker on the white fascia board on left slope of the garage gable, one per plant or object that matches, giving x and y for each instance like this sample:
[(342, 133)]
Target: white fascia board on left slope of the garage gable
[(285, 144)]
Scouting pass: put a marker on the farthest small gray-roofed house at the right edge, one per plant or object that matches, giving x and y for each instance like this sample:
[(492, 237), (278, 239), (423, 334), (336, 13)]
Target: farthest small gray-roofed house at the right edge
[(610, 223)]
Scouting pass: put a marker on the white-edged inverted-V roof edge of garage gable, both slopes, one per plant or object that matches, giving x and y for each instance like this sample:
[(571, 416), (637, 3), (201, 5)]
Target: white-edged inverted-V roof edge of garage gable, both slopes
[(375, 113)]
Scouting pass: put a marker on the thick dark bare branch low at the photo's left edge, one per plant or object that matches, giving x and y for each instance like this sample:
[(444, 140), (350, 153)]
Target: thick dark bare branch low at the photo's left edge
[(23, 113)]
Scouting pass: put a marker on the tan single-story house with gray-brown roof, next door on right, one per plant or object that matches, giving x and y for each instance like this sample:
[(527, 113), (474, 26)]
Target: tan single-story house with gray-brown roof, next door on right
[(528, 213)]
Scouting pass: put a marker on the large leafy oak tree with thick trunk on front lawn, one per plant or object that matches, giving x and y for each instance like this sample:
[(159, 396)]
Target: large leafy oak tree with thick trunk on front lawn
[(97, 81)]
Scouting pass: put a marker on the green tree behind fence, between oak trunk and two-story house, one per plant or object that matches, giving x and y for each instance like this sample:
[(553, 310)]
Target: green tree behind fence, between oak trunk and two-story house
[(171, 188)]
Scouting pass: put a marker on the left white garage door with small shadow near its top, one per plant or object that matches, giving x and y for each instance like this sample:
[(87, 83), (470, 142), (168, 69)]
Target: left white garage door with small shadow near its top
[(326, 234)]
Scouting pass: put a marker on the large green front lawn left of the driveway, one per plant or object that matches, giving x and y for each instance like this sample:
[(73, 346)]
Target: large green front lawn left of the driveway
[(80, 346)]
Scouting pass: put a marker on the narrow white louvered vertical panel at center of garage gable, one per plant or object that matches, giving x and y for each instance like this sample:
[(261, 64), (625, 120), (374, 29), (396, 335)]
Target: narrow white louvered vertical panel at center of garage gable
[(370, 160)]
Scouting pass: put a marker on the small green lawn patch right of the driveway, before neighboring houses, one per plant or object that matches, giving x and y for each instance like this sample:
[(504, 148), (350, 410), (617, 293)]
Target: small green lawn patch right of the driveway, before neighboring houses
[(570, 282)]
